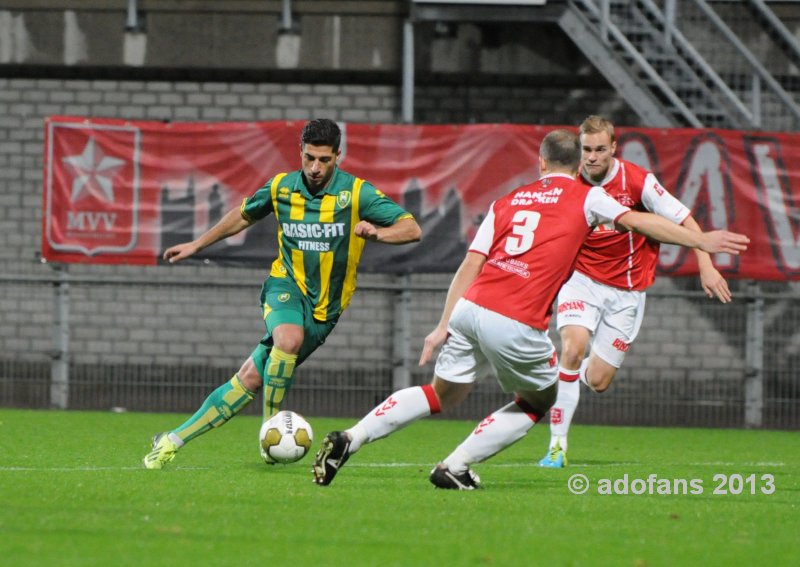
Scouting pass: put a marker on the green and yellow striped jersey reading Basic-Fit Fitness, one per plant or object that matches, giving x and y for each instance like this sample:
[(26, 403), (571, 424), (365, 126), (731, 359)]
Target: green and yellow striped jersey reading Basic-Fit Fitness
[(316, 244)]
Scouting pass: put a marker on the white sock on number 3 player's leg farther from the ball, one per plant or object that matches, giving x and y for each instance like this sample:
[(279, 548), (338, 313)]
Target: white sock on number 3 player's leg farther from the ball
[(496, 432)]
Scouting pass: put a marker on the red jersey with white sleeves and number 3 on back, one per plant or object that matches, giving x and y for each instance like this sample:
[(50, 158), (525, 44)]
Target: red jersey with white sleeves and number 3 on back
[(531, 238)]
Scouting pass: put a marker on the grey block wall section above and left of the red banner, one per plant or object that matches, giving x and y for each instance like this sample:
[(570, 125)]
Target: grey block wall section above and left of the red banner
[(25, 103)]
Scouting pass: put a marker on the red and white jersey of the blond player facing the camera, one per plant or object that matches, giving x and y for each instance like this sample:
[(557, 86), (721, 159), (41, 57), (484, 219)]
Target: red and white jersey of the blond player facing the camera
[(628, 260)]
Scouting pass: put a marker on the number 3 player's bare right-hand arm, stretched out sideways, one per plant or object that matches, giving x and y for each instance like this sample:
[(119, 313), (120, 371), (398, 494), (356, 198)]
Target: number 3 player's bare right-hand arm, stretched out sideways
[(663, 230)]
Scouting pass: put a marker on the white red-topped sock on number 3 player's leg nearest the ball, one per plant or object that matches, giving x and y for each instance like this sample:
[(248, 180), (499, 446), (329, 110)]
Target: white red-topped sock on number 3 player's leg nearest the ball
[(398, 410)]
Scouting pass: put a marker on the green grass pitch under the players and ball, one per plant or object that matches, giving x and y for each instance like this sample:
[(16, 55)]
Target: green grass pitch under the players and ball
[(73, 492)]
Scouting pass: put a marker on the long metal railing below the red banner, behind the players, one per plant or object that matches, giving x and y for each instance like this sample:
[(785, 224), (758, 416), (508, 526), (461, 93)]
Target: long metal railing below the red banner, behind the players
[(151, 343)]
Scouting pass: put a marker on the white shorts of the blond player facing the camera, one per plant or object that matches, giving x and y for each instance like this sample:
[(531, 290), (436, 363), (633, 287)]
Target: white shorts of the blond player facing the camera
[(613, 315)]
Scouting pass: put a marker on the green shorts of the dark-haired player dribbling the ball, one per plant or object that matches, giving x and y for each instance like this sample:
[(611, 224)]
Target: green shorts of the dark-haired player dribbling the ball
[(283, 302)]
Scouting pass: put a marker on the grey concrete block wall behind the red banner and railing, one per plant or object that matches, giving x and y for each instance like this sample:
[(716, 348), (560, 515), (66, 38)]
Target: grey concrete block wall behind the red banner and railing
[(139, 324)]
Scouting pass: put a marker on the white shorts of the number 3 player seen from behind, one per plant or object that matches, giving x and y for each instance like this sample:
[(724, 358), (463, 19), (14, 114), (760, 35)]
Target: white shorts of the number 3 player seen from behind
[(482, 341)]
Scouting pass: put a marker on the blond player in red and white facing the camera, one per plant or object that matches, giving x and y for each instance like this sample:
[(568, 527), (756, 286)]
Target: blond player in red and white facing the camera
[(605, 297)]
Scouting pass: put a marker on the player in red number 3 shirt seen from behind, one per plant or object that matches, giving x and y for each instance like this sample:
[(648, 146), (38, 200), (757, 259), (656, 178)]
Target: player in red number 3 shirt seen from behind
[(496, 314)]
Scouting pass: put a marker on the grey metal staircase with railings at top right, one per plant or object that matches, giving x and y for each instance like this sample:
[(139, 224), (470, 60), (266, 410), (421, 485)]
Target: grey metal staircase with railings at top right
[(696, 60)]
